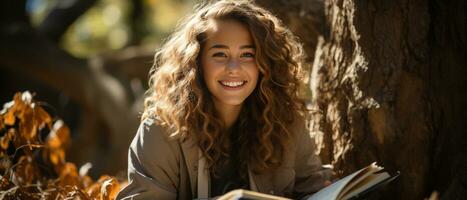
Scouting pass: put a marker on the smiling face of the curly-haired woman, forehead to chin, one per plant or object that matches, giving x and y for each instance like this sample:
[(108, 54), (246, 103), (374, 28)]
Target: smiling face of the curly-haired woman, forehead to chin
[(228, 61)]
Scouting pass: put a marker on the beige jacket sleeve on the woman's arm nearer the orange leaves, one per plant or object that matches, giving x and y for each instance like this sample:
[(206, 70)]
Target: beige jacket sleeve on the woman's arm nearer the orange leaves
[(153, 170)]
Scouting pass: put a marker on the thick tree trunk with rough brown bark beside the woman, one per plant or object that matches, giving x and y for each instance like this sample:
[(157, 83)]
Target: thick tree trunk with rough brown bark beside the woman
[(390, 81)]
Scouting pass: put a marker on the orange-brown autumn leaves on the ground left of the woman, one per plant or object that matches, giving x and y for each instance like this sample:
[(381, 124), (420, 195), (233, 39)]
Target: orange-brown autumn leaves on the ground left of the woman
[(32, 157)]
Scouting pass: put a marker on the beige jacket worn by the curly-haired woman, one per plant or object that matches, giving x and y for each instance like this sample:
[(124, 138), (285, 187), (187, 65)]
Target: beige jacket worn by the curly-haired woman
[(160, 168)]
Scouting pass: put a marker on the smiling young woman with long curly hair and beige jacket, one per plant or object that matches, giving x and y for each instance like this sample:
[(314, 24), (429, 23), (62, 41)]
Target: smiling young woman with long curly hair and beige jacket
[(223, 111)]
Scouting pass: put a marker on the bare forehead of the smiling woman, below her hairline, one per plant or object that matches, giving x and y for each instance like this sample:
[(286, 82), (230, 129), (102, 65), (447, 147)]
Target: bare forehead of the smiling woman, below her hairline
[(228, 32)]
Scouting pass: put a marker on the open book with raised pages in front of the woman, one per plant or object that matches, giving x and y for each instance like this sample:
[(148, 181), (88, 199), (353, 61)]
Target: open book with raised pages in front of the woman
[(349, 187)]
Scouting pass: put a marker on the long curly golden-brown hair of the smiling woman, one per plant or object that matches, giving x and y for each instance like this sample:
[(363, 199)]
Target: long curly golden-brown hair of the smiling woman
[(178, 98)]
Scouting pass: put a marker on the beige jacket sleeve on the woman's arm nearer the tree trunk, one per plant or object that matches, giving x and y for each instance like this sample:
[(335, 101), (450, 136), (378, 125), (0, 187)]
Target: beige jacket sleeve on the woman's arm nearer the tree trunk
[(309, 173)]
